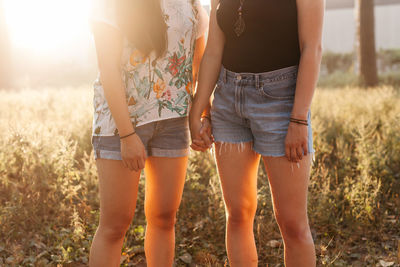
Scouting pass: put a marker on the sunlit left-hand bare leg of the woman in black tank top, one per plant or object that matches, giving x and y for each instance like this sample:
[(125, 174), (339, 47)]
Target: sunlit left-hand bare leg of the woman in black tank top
[(237, 168)]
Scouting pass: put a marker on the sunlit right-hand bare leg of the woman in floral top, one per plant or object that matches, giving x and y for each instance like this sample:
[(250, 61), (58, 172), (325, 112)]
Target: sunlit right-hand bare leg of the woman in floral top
[(165, 178)]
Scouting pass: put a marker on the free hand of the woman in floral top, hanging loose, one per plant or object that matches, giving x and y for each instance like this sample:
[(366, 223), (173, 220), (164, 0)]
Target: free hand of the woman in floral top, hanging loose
[(133, 153)]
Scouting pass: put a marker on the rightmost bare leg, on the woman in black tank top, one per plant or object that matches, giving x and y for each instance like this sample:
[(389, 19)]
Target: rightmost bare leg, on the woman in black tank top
[(289, 187)]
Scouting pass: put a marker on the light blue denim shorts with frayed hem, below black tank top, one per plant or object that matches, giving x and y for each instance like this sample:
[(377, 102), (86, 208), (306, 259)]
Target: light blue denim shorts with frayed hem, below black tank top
[(255, 107)]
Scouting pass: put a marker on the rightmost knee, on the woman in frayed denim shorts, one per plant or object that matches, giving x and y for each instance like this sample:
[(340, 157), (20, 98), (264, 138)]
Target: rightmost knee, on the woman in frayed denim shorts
[(295, 230)]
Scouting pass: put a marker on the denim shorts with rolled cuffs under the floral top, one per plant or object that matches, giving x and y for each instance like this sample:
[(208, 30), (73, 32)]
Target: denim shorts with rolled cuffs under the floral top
[(166, 138)]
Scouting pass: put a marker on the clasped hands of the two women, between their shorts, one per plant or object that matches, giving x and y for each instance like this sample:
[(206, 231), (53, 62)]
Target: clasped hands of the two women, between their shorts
[(200, 131)]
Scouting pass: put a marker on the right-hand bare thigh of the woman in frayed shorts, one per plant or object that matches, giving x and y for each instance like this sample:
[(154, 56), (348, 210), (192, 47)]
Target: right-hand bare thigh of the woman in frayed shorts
[(289, 186)]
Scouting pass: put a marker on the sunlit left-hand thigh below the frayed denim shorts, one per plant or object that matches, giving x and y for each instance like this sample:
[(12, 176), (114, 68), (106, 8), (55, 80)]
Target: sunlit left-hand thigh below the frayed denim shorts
[(237, 168)]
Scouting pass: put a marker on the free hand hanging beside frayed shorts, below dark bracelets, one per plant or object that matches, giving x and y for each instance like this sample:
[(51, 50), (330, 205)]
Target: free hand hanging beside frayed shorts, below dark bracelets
[(296, 142)]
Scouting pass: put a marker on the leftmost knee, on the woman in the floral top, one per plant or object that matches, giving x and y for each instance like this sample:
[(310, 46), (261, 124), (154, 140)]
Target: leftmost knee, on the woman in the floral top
[(115, 229)]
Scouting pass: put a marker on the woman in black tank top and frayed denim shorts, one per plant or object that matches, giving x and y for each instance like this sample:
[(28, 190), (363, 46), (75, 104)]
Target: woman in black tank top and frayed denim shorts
[(262, 58)]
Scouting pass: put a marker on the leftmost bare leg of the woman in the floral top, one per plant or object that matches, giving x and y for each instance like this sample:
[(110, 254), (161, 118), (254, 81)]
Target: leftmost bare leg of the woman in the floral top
[(118, 192)]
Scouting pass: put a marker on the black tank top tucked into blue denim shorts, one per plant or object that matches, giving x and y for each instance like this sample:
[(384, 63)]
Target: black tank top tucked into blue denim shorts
[(270, 40)]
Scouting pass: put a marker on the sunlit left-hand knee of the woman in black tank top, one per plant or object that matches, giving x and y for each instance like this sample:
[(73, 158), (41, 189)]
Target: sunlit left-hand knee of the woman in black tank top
[(242, 214)]
